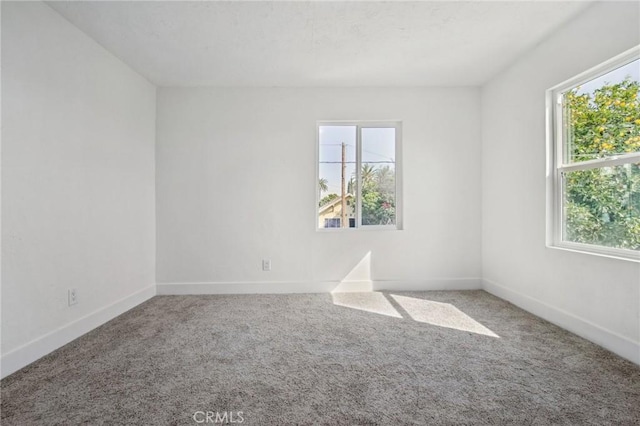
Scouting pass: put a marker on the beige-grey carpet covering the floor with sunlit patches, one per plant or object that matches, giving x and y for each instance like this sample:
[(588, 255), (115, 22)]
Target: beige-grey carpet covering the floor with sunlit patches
[(362, 359)]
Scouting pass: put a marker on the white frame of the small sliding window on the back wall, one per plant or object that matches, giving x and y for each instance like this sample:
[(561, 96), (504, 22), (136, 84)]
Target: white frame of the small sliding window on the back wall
[(359, 125)]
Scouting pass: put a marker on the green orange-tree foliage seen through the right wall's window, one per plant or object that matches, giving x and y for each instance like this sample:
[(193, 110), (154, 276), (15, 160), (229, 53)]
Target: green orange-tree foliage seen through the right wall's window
[(602, 206)]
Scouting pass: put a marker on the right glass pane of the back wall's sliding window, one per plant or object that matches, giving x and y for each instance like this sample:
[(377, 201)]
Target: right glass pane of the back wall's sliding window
[(378, 176)]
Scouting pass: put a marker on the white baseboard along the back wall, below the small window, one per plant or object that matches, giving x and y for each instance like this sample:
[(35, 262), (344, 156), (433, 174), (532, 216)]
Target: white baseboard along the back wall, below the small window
[(279, 287)]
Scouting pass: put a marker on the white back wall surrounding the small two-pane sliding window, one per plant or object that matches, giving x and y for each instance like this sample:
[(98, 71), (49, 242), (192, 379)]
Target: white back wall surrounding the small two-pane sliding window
[(236, 184)]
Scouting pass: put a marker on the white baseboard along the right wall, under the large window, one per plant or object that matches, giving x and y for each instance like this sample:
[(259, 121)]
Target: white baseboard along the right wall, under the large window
[(610, 340)]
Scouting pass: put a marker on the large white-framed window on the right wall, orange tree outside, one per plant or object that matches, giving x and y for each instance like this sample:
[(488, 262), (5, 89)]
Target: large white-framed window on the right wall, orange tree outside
[(594, 158)]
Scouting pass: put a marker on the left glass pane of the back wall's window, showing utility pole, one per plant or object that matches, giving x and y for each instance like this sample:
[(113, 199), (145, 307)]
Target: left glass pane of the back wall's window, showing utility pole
[(336, 178)]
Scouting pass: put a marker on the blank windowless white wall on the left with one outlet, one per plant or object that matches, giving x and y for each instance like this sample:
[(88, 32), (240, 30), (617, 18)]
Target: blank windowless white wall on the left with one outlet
[(77, 183)]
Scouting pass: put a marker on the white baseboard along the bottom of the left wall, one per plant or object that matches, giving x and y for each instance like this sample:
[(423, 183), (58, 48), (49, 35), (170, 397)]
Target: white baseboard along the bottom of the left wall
[(30, 352)]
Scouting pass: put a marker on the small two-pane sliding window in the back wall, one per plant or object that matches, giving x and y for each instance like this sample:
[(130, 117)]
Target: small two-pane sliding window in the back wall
[(358, 175)]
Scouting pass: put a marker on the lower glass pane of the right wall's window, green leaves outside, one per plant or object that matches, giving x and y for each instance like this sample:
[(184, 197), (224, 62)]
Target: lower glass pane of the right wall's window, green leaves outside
[(602, 206)]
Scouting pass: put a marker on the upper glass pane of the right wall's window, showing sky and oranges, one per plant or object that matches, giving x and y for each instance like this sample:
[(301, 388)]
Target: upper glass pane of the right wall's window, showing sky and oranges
[(602, 116)]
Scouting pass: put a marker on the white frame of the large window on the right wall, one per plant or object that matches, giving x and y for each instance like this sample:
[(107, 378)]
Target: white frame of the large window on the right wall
[(556, 164)]
